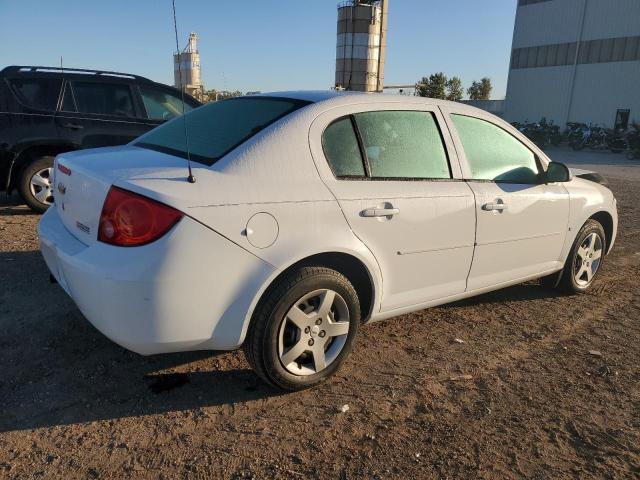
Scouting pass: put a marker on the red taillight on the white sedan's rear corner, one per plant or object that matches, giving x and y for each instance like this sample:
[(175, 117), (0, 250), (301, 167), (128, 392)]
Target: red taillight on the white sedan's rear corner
[(131, 220)]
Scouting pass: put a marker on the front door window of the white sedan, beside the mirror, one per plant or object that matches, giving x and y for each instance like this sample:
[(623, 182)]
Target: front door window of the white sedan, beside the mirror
[(493, 154)]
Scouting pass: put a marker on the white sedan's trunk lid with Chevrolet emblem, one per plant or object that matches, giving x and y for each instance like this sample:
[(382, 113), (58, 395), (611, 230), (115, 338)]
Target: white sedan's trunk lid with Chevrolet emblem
[(82, 180)]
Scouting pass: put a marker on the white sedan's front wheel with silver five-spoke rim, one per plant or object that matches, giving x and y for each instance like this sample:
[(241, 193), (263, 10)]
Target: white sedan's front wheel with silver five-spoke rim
[(584, 260)]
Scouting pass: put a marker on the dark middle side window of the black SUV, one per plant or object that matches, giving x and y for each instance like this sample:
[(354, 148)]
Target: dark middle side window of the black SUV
[(103, 98)]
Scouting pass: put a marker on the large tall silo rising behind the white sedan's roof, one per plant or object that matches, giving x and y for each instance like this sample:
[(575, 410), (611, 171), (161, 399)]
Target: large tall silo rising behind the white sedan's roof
[(361, 44)]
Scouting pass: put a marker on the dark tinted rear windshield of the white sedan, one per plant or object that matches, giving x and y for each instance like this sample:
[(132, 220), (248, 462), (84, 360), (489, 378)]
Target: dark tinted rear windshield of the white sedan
[(217, 128)]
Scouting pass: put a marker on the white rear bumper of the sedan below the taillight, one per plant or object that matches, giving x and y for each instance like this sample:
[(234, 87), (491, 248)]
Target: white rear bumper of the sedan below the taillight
[(190, 290)]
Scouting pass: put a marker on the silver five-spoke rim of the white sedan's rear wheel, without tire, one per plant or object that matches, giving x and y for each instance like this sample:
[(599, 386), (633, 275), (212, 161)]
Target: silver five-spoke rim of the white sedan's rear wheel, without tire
[(313, 332)]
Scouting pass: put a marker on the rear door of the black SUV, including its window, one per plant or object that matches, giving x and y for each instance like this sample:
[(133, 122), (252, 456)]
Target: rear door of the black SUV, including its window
[(99, 113)]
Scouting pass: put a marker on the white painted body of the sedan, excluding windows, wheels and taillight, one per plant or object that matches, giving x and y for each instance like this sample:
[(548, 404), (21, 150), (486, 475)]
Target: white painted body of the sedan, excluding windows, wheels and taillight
[(274, 201)]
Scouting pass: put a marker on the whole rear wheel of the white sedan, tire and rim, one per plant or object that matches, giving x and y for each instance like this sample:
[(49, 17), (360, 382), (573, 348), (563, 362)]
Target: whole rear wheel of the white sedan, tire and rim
[(303, 329)]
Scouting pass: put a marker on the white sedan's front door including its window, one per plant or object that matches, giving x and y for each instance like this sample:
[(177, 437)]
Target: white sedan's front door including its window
[(521, 220)]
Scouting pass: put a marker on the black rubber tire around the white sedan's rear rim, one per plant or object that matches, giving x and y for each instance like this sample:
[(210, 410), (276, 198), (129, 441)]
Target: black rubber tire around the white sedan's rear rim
[(261, 343)]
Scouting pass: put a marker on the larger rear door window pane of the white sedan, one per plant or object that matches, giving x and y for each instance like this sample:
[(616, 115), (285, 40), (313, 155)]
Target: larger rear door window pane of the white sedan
[(402, 144)]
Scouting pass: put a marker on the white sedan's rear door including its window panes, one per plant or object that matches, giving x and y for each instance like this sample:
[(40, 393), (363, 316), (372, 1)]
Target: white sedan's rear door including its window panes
[(399, 185)]
